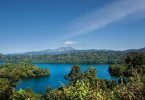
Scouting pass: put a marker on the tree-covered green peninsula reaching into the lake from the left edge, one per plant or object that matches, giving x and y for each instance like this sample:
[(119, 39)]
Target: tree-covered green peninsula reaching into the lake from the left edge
[(23, 70)]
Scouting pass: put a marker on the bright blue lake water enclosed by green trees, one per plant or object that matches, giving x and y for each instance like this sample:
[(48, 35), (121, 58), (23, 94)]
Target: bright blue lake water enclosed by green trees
[(56, 78)]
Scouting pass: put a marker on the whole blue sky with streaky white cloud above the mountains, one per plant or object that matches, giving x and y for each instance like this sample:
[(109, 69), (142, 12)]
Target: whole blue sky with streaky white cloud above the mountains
[(33, 25)]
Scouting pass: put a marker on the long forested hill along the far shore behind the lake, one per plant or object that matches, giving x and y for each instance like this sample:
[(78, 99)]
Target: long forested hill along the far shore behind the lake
[(74, 56)]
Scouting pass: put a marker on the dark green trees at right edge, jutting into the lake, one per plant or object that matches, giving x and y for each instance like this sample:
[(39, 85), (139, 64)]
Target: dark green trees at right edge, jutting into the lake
[(135, 64)]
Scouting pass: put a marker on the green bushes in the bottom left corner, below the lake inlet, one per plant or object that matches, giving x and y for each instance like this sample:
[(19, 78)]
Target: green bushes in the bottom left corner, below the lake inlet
[(8, 92)]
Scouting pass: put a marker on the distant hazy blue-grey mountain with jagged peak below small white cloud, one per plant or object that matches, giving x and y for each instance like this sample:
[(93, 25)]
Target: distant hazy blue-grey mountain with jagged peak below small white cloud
[(60, 50)]
